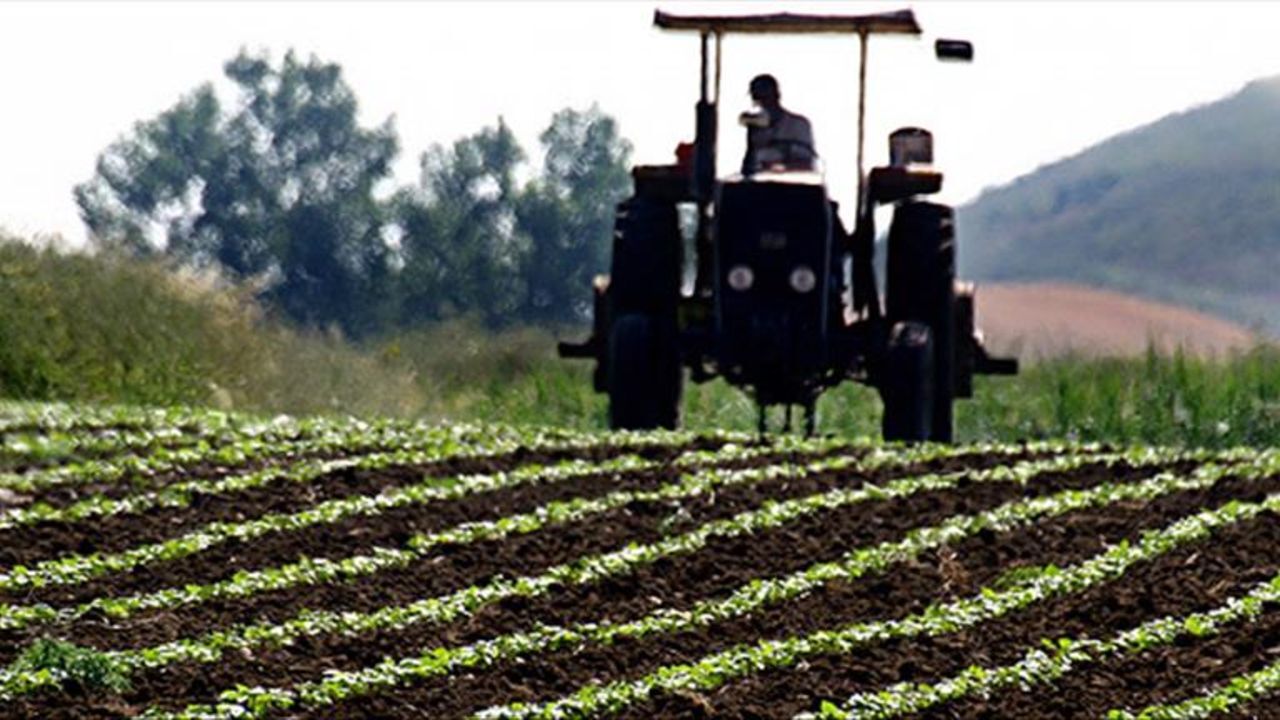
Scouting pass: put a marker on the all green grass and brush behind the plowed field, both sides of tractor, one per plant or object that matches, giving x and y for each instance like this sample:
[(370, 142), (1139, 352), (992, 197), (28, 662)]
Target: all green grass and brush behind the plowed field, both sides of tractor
[(106, 330)]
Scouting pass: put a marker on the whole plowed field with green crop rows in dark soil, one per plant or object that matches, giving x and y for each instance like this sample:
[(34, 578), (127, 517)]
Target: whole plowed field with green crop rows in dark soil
[(193, 566)]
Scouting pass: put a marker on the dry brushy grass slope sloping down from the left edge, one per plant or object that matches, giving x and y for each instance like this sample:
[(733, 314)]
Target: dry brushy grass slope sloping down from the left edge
[(109, 330)]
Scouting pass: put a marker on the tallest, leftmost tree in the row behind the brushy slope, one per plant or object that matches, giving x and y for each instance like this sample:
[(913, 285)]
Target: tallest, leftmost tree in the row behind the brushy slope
[(281, 189)]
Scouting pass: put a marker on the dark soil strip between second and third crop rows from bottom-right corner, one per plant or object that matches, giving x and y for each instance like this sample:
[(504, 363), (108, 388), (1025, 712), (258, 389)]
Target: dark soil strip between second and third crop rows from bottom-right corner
[(1187, 581)]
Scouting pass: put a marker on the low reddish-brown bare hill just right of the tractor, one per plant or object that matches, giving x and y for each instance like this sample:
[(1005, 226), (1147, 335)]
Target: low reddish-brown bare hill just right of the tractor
[(1036, 321)]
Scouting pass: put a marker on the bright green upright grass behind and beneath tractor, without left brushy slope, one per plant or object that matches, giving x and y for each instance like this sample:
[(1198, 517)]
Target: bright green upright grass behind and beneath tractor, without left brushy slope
[(1155, 399)]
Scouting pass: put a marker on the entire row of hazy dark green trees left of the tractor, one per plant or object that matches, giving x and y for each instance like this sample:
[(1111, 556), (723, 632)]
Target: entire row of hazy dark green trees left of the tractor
[(285, 189)]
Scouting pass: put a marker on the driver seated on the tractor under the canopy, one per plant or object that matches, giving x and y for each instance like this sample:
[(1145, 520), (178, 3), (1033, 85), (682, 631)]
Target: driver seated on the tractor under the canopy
[(775, 136)]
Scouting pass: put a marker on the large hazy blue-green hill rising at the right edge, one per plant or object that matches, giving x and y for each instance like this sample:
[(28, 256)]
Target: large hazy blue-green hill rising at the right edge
[(1185, 211)]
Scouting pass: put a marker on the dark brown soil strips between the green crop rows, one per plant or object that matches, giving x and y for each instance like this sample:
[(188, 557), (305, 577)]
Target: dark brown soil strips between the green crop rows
[(1186, 581)]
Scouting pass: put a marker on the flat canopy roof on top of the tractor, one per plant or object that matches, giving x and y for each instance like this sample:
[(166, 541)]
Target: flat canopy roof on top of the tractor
[(902, 22)]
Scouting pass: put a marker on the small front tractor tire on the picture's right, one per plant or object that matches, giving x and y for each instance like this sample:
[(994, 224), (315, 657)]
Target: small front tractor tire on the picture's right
[(907, 385)]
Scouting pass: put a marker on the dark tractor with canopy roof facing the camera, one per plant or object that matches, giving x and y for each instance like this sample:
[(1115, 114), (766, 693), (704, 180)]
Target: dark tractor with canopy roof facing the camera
[(783, 300)]
